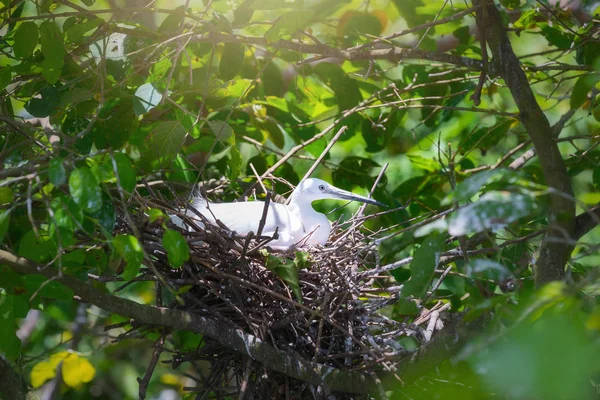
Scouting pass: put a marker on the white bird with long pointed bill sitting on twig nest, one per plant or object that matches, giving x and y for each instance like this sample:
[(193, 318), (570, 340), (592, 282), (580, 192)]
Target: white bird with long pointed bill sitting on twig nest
[(297, 223)]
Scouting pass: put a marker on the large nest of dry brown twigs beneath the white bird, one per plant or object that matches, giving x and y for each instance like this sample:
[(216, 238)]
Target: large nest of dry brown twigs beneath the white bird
[(335, 323)]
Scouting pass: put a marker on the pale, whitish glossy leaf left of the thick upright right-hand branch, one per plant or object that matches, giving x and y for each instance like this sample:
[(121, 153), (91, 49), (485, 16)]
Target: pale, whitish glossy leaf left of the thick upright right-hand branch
[(493, 211)]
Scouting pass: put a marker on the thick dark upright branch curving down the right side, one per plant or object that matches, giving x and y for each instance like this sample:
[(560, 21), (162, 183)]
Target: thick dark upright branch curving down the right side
[(553, 256)]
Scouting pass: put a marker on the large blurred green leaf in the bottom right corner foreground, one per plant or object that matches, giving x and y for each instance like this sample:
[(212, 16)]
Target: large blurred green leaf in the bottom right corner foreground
[(551, 357)]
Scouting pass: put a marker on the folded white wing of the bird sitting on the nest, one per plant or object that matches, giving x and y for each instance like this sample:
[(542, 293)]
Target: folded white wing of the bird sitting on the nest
[(244, 217)]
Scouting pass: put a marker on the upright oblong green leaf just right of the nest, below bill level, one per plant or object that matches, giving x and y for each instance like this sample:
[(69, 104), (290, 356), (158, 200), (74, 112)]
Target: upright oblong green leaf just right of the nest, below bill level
[(423, 265)]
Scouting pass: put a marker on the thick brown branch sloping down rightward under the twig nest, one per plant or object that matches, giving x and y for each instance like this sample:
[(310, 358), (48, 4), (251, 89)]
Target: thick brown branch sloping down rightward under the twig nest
[(236, 339)]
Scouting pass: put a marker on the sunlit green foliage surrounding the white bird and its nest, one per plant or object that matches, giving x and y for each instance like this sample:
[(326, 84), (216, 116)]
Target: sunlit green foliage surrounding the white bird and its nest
[(103, 109)]
